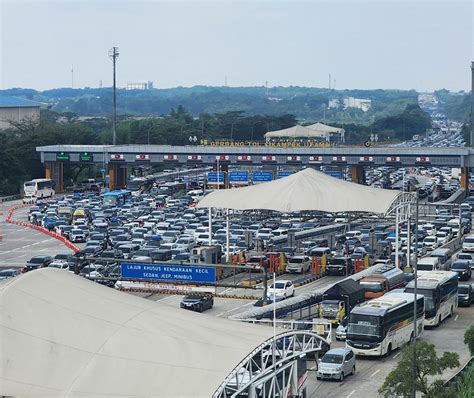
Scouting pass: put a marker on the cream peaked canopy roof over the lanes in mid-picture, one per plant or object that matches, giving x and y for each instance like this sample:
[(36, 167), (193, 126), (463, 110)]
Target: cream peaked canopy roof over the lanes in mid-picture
[(306, 190)]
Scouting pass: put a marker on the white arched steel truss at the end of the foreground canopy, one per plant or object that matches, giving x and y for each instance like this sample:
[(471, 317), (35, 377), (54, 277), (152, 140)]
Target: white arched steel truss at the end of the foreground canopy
[(271, 369)]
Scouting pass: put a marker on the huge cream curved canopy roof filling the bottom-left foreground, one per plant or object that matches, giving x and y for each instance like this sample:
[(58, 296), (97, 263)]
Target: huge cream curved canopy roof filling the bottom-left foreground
[(62, 335)]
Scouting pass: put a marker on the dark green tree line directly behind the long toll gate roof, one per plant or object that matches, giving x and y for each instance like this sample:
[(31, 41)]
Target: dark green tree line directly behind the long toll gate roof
[(20, 162)]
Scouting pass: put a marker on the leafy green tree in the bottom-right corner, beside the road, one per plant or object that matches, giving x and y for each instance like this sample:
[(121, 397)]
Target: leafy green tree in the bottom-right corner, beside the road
[(399, 382)]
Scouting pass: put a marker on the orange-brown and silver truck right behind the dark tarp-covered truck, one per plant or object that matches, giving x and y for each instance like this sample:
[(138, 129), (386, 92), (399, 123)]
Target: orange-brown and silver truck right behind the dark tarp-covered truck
[(382, 280)]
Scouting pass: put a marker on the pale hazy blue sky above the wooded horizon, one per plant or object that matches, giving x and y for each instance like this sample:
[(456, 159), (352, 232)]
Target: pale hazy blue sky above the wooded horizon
[(417, 44)]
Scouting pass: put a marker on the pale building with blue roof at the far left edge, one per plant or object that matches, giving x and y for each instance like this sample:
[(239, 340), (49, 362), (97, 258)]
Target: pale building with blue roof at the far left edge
[(17, 110)]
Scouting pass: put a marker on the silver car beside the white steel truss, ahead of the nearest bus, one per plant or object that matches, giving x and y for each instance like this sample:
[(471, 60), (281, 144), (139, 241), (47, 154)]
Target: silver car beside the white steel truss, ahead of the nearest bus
[(336, 364)]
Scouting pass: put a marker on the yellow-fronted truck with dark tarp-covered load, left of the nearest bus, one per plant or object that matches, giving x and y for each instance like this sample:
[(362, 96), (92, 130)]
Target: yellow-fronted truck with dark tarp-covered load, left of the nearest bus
[(339, 299)]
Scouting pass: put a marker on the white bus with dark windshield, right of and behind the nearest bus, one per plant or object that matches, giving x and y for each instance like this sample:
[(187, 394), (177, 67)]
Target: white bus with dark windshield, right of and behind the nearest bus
[(440, 289)]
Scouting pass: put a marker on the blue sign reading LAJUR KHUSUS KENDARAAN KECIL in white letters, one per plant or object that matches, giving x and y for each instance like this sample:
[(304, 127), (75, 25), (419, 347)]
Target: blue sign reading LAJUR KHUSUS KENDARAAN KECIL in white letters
[(168, 272)]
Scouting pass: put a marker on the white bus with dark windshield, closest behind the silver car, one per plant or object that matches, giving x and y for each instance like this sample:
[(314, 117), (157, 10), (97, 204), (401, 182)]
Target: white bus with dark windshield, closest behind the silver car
[(378, 326)]
